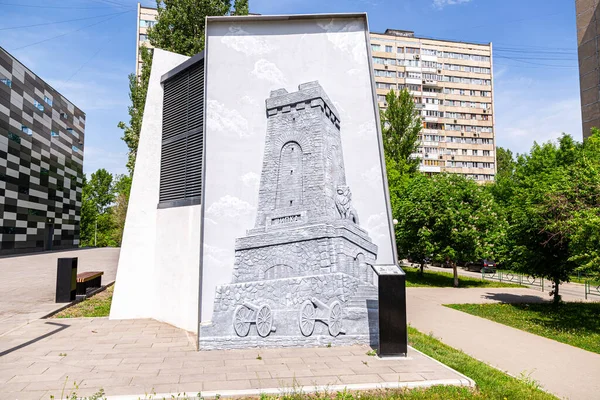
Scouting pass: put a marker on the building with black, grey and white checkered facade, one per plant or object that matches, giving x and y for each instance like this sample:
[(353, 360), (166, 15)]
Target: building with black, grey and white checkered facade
[(41, 163)]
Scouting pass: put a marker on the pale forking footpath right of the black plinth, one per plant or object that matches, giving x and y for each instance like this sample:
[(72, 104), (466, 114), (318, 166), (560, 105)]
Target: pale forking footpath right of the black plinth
[(564, 370)]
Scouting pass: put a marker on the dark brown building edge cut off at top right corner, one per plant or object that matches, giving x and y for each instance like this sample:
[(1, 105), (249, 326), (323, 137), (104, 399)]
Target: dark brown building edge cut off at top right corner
[(588, 36)]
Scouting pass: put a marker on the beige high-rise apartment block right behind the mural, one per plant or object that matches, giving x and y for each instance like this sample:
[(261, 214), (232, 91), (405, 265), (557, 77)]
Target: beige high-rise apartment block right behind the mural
[(452, 86)]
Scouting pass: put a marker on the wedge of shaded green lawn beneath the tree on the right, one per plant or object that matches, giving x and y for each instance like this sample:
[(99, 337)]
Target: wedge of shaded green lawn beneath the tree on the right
[(577, 324)]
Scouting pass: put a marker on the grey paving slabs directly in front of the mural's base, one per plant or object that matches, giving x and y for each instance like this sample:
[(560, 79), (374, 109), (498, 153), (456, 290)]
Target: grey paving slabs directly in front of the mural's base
[(136, 357)]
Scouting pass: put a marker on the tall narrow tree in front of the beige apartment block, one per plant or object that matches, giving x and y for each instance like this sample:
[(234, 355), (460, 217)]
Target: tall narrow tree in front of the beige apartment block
[(401, 126)]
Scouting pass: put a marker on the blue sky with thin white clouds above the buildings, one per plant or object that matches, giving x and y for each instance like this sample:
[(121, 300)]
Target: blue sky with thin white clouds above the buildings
[(88, 57)]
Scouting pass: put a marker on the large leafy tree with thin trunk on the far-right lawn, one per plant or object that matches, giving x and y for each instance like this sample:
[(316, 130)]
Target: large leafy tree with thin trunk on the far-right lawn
[(555, 210)]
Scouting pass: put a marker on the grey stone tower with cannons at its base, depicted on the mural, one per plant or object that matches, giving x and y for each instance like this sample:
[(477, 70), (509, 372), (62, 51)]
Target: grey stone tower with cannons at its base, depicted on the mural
[(302, 275)]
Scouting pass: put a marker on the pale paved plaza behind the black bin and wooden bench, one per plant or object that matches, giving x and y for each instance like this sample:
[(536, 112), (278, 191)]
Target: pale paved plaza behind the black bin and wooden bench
[(28, 283)]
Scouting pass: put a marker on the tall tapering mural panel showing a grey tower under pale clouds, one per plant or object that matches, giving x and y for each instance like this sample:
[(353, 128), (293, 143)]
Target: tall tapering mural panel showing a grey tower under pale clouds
[(295, 208)]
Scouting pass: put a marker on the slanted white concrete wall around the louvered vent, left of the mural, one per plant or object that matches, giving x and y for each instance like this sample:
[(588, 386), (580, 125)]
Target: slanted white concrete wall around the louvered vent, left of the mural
[(158, 272)]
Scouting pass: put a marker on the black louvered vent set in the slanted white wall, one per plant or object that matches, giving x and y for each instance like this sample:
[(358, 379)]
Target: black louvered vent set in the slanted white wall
[(182, 138)]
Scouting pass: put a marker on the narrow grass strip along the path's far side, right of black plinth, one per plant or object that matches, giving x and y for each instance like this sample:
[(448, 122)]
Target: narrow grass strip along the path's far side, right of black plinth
[(445, 279)]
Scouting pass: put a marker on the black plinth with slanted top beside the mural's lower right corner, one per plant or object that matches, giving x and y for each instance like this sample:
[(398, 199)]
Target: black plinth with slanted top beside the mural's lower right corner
[(393, 337)]
